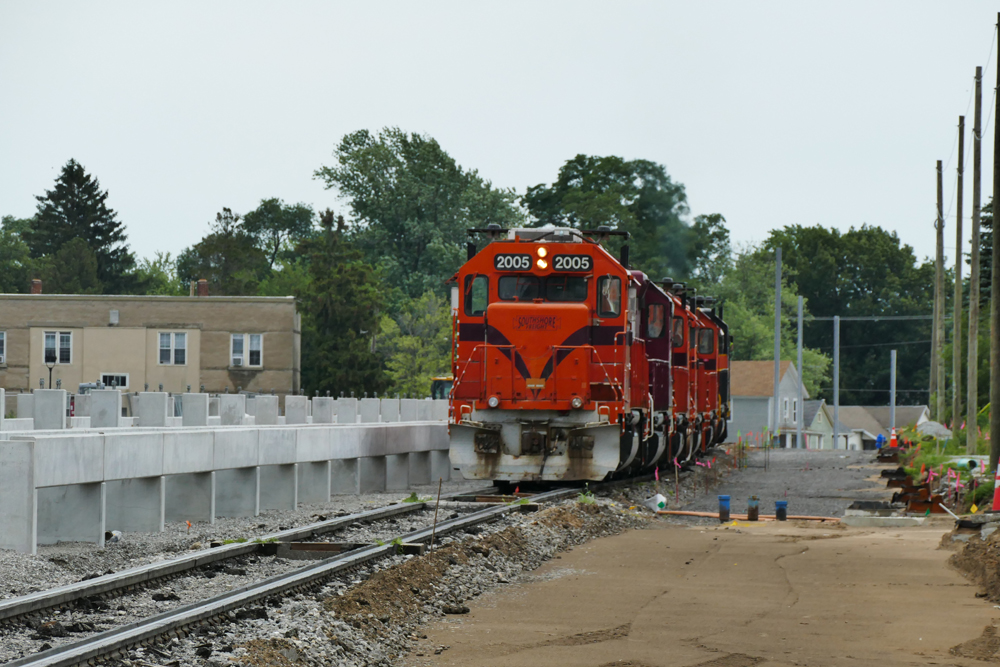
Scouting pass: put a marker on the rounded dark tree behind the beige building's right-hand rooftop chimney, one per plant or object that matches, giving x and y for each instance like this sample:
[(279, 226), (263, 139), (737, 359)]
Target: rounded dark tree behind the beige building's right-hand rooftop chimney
[(227, 258)]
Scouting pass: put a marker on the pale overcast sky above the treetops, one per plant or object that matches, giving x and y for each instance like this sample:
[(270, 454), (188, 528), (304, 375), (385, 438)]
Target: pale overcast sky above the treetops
[(771, 113)]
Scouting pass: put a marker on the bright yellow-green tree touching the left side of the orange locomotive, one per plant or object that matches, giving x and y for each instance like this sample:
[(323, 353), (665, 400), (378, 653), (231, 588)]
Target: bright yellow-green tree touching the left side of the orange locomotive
[(416, 344)]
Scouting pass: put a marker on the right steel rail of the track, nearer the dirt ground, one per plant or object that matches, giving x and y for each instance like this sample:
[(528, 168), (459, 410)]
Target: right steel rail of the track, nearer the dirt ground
[(114, 643)]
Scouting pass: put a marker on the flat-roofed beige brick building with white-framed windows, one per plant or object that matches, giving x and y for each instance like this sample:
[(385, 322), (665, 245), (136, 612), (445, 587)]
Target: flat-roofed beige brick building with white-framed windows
[(216, 341)]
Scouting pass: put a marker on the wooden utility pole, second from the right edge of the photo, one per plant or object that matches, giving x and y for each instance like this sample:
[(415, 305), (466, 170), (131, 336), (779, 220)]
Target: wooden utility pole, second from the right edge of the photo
[(972, 391)]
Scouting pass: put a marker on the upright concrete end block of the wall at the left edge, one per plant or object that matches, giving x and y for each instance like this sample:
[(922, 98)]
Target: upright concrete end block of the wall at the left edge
[(17, 497)]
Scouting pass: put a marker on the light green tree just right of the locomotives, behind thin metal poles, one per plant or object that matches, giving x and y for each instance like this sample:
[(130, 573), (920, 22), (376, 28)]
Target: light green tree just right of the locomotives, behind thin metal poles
[(747, 290)]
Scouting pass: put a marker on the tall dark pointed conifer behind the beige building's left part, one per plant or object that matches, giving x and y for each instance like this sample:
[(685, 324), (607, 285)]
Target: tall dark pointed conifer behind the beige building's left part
[(77, 209)]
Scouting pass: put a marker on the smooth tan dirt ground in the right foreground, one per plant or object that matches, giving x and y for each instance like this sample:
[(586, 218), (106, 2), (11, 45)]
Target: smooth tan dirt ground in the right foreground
[(731, 596)]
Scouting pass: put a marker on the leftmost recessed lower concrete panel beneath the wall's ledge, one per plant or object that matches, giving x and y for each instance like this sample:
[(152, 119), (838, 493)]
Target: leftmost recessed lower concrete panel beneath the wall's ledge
[(73, 513)]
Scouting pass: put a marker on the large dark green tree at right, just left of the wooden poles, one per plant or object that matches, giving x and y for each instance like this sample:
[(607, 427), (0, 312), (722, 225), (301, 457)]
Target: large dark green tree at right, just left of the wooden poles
[(863, 272)]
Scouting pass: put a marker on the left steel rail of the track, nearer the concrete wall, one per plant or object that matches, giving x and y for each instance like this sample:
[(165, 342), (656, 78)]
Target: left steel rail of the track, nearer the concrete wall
[(143, 575)]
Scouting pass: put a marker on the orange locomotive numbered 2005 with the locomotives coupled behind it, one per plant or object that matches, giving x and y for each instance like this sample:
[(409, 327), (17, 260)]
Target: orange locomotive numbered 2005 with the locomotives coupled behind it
[(568, 365)]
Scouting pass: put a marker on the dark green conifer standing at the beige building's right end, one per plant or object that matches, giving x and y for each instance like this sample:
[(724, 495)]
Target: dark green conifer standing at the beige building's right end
[(340, 308)]
